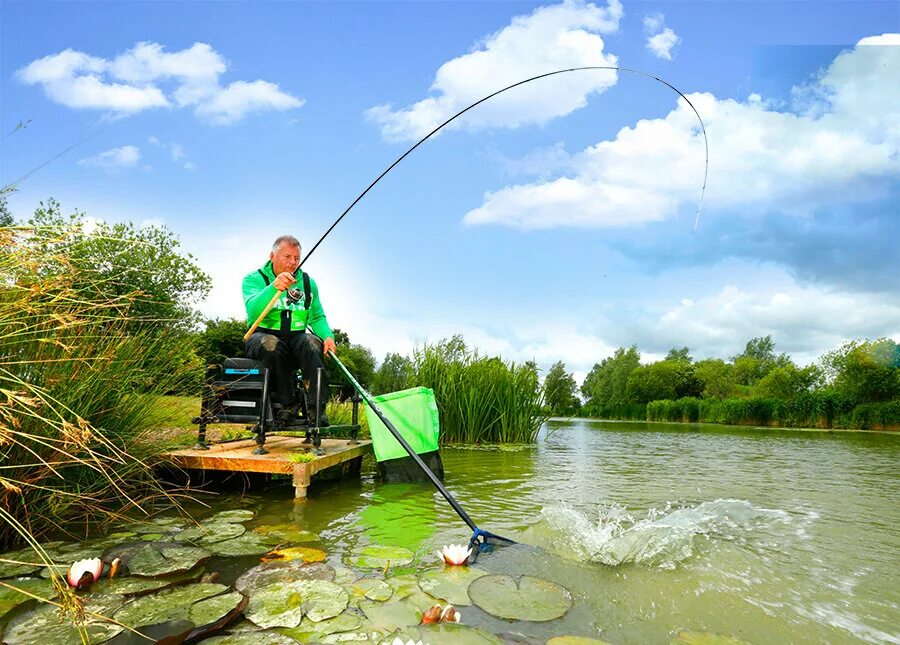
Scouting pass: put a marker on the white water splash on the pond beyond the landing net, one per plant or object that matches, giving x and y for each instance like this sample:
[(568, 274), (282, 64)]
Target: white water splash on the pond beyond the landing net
[(663, 538)]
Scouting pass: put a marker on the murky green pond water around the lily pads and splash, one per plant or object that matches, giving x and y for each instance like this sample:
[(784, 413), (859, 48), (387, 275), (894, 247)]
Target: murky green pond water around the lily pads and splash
[(655, 530)]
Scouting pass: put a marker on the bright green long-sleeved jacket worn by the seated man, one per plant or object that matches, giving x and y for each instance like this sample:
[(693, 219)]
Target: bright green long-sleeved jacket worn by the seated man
[(258, 291)]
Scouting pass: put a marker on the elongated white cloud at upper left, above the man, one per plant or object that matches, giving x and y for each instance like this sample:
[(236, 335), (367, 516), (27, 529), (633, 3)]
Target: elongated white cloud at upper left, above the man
[(146, 76)]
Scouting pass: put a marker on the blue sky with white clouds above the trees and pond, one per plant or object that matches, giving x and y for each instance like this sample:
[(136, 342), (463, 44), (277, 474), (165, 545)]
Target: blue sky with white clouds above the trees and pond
[(553, 223)]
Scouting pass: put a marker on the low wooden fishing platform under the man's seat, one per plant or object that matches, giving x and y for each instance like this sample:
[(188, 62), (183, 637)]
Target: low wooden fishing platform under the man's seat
[(237, 456)]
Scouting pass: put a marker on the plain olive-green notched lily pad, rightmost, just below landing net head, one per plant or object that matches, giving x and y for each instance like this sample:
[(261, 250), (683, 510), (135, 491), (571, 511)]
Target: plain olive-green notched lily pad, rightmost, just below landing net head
[(534, 599)]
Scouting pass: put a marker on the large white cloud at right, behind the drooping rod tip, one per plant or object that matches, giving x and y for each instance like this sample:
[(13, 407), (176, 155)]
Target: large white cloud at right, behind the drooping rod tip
[(758, 156)]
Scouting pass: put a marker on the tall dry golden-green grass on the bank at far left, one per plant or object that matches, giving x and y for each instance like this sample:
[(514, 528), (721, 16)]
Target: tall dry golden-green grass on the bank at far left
[(74, 363)]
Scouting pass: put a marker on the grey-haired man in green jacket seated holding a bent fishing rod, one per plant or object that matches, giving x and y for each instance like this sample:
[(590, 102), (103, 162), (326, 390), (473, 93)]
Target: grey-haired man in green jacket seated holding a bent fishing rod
[(281, 342)]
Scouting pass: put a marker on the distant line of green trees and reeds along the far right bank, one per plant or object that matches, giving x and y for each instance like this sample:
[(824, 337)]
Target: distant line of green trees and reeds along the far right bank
[(854, 386)]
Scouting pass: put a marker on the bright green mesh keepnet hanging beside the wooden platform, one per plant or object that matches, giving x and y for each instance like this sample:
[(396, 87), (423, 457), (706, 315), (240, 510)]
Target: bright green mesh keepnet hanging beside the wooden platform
[(414, 414)]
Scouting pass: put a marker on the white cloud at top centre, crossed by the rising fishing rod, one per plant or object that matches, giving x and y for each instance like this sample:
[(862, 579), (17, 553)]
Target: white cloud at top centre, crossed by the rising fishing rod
[(551, 38)]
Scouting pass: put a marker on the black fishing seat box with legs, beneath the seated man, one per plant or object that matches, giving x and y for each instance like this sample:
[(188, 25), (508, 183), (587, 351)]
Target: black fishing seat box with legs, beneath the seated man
[(239, 391)]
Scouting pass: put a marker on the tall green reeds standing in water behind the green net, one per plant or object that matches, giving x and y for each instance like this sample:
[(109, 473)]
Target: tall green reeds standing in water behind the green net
[(480, 399)]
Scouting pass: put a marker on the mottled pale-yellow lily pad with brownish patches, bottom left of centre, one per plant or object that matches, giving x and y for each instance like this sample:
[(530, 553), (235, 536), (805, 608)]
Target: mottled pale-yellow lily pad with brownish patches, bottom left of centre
[(284, 604)]
